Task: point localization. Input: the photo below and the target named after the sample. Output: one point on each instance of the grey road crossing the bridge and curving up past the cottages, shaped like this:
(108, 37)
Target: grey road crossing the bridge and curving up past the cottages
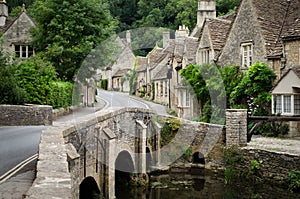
(19, 143)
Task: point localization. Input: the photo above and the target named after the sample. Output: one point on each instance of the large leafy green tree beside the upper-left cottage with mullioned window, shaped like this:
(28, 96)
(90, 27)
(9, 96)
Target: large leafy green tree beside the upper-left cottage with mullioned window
(68, 30)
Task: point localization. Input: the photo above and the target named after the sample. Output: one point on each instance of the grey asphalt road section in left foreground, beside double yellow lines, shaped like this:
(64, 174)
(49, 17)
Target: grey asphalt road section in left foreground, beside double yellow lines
(17, 144)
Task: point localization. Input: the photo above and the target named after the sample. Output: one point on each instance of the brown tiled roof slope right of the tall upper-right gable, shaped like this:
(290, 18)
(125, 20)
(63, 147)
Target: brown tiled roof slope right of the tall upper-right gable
(277, 18)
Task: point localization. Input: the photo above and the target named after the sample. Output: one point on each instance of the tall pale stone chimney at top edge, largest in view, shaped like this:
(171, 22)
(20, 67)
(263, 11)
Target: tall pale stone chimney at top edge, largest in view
(206, 9)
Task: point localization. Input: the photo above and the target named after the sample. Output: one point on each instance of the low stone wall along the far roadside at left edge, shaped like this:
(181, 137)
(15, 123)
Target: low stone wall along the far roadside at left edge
(19, 115)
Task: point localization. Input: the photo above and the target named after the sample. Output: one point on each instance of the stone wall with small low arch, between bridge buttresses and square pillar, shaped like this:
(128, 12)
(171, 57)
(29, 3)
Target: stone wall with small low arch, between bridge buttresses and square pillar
(208, 139)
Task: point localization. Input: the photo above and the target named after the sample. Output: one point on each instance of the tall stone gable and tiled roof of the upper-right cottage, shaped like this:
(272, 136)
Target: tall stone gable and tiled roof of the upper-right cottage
(258, 34)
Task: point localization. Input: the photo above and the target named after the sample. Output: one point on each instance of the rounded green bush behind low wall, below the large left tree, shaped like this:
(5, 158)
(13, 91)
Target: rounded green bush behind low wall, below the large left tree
(35, 77)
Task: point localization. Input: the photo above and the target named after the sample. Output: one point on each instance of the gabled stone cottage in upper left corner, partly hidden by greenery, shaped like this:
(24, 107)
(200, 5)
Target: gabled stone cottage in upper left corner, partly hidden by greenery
(16, 32)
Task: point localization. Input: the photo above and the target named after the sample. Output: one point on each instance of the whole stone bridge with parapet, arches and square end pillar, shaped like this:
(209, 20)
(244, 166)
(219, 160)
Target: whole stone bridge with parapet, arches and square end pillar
(86, 159)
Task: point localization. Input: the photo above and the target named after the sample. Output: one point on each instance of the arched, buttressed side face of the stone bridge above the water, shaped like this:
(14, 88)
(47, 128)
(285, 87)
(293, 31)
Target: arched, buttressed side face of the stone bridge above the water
(104, 140)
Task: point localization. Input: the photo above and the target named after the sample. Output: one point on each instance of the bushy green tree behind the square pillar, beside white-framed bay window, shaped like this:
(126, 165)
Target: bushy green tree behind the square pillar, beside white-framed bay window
(254, 89)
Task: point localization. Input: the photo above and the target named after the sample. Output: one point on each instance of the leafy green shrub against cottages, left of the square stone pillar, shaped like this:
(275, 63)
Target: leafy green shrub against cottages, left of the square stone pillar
(206, 82)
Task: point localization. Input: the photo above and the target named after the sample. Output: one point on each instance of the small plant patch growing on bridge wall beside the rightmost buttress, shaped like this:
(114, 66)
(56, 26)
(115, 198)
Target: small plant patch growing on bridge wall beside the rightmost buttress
(169, 130)
